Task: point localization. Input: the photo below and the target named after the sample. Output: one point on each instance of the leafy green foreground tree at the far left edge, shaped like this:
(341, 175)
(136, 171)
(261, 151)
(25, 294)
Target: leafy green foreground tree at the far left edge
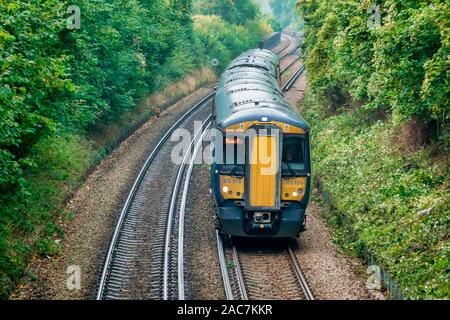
(33, 84)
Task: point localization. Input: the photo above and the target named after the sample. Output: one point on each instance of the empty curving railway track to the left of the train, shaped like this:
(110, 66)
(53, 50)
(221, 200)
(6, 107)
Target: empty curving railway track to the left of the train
(145, 259)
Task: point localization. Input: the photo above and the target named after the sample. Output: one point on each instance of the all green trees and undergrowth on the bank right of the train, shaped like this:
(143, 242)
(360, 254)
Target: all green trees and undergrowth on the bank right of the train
(380, 195)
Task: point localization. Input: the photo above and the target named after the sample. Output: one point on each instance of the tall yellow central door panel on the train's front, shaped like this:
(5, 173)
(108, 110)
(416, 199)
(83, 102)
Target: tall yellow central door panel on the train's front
(263, 172)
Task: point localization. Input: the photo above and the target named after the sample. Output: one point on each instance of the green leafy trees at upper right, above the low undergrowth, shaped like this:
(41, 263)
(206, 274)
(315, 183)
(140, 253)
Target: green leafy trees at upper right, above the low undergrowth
(401, 66)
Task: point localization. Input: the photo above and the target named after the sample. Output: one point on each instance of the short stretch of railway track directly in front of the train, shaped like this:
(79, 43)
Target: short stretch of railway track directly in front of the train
(261, 272)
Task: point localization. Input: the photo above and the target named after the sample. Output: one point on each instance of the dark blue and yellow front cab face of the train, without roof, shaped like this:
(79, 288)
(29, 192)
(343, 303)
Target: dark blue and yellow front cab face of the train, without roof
(263, 196)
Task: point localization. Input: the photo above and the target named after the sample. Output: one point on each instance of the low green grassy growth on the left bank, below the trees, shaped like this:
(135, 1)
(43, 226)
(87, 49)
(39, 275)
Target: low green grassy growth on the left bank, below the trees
(28, 219)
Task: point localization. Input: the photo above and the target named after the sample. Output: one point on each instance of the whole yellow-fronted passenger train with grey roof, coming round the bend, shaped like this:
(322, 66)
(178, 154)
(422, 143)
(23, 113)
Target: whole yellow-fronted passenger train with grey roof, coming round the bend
(261, 159)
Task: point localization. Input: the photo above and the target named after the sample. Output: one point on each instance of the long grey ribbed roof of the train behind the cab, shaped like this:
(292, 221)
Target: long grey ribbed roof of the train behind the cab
(249, 91)
